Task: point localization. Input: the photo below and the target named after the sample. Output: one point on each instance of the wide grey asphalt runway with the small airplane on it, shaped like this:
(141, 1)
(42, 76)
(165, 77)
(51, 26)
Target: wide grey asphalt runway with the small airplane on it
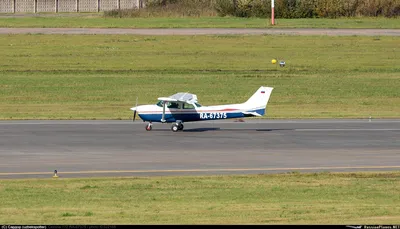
(30, 149)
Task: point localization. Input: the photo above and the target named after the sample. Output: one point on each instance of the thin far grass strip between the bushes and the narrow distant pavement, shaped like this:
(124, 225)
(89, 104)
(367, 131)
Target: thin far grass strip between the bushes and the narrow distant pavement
(98, 21)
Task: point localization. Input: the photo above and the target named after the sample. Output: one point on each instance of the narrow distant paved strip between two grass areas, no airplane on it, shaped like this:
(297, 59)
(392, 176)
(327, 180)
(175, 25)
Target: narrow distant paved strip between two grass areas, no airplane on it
(206, 31)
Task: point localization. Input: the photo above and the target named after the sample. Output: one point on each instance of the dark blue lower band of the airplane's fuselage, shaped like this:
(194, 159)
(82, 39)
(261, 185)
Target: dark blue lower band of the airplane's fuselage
(191, 117)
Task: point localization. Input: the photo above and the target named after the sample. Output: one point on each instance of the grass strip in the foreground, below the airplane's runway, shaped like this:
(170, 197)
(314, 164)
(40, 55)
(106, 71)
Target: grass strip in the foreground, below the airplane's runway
(320, 198)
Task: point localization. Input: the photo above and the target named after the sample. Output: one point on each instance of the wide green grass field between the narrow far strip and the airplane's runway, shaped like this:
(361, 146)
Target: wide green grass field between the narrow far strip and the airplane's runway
(100, 76)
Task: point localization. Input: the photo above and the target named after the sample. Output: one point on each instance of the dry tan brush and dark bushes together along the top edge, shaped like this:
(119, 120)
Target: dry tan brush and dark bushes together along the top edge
(262, 8)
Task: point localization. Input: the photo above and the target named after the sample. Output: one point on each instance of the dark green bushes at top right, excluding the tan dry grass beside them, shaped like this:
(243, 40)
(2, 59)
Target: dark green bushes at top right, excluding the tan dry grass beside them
(293, 8)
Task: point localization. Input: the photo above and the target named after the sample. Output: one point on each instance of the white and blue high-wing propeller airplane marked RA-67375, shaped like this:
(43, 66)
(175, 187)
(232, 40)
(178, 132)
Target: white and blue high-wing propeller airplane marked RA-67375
(183, 107)
